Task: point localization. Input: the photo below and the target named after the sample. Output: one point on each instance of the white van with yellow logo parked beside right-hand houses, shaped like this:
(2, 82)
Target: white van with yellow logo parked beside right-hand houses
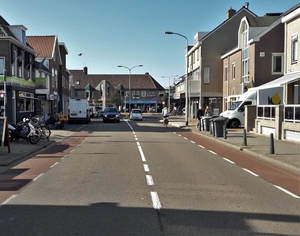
(254, 96)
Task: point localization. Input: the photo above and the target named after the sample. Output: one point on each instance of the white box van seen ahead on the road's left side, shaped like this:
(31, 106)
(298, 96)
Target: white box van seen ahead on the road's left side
(79, 111)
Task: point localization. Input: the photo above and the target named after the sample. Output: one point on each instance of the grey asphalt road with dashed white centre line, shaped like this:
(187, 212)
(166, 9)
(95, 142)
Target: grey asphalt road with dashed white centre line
(140, 178)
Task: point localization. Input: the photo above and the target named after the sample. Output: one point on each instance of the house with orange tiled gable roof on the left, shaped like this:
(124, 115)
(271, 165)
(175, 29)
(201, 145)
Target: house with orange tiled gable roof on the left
(52, 88)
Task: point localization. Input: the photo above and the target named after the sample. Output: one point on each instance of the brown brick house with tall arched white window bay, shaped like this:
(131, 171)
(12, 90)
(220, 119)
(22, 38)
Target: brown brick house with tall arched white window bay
(254, 61)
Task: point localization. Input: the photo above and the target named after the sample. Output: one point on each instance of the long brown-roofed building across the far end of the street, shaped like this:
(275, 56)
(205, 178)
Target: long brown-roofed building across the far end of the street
(144, 91)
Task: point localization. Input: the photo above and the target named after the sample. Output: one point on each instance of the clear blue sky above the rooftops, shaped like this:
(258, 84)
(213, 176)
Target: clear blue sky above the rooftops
(127, 32)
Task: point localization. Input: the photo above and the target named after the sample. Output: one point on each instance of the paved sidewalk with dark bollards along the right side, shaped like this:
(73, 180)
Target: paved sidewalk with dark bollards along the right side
(287, 153)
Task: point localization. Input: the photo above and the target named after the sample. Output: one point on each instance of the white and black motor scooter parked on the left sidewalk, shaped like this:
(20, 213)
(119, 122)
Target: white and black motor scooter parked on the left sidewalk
(24, 130)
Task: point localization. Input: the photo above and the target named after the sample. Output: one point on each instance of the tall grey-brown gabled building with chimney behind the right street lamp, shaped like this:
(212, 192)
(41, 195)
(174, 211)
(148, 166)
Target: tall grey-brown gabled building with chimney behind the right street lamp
(205, 64)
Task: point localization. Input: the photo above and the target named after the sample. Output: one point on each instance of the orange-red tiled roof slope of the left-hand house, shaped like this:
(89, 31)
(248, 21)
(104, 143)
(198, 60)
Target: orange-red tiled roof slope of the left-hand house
(43, 45)
